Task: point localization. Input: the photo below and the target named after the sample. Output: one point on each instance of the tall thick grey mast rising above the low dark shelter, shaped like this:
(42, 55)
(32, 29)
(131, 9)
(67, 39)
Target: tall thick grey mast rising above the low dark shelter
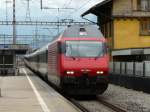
(14, 22)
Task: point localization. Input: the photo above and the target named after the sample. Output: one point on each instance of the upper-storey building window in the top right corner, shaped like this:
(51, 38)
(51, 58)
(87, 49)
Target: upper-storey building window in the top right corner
(144, 5)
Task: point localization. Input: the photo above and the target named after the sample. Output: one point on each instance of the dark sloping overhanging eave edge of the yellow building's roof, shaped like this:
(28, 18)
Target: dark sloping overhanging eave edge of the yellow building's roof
(96, 6)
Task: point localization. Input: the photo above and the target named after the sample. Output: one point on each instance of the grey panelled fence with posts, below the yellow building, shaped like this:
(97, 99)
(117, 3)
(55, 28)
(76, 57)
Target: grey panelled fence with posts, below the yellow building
(141, 69)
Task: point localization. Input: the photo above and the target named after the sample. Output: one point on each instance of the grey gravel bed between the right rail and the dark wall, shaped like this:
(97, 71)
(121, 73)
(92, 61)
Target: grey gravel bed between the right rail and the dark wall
(131, 100)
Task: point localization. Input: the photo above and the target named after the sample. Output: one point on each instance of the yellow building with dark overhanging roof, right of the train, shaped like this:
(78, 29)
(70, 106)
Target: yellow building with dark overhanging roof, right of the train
(126, 25)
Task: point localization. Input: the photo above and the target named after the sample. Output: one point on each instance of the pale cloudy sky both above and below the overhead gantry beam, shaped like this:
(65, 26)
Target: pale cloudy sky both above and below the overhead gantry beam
(79, 6)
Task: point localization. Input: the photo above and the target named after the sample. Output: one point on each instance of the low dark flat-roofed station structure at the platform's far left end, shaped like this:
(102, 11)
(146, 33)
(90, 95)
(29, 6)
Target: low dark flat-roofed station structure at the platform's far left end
(10, 58)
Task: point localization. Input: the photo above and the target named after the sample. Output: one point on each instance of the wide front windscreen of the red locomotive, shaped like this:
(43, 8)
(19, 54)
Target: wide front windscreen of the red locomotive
(84, 49)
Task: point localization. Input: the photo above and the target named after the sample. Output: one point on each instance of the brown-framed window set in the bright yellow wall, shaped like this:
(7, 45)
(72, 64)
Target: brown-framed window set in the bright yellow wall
(145, 27)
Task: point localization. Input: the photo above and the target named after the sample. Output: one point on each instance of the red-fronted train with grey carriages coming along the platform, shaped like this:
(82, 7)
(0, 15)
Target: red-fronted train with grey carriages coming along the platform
(76, 61)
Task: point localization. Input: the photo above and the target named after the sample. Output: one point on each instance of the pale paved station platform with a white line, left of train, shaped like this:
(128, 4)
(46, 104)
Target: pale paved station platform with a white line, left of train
(28, 93)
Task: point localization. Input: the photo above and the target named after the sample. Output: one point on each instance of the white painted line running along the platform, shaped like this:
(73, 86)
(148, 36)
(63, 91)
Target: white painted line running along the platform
(41, 101)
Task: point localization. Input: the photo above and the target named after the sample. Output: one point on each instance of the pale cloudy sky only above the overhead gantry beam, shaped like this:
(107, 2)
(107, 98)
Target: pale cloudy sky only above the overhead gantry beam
(36, 13)
